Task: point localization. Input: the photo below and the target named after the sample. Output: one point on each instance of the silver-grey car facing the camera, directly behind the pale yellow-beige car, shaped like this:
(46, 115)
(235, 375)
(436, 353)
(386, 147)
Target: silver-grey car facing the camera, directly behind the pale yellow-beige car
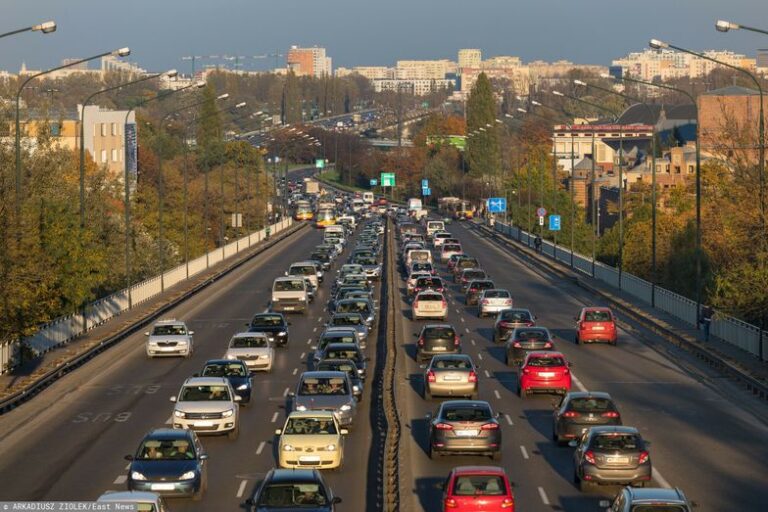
(326, 391)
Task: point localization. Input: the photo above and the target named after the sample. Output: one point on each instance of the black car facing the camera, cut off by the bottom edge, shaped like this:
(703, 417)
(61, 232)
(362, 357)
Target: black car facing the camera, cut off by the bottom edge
(292, 489)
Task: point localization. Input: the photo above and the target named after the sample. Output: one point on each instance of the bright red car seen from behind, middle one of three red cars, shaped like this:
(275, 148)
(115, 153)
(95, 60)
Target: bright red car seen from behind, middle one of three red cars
(544, 372)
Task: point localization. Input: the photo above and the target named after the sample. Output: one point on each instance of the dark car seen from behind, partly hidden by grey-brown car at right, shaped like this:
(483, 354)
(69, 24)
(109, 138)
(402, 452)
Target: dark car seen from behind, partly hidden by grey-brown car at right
(581, 410)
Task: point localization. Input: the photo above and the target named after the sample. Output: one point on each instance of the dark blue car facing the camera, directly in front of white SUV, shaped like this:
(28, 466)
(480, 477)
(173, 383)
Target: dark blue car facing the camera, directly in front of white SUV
(170, 462)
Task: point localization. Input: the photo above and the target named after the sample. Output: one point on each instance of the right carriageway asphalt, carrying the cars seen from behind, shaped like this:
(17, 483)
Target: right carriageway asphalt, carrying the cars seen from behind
(702, 440)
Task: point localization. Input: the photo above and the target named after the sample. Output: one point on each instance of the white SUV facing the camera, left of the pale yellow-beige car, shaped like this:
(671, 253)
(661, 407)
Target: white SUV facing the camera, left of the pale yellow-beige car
(207, 405)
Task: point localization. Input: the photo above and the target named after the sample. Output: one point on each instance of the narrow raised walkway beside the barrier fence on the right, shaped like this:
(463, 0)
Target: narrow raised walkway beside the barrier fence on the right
(729, 353)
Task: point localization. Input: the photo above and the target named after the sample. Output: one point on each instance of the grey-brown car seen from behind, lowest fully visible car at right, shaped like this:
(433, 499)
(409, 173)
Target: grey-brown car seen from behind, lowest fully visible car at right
(611, 455)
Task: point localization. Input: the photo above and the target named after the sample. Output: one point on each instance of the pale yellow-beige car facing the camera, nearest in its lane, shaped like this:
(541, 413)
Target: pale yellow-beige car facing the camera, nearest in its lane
(311, 439)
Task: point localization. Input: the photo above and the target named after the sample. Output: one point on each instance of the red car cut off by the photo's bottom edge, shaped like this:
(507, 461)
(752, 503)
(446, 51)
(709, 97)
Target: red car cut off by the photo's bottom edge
(478, 489)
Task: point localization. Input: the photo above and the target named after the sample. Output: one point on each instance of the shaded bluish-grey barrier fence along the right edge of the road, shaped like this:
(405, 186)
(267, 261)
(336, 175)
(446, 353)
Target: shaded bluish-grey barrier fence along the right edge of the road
(731, 330)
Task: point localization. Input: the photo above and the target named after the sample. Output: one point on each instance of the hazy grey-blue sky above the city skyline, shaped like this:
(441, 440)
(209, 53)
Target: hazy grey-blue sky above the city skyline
(369, 32)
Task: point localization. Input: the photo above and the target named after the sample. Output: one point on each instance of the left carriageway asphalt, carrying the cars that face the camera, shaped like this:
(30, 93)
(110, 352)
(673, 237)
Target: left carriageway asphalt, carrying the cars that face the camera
(69, 442)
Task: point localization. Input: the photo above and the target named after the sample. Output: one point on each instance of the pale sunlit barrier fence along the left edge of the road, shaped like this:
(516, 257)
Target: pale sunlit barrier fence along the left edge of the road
(66, 328)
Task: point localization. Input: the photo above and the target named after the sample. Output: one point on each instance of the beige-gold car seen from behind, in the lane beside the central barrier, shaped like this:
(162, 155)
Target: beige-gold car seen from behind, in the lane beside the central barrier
(451, 375)
